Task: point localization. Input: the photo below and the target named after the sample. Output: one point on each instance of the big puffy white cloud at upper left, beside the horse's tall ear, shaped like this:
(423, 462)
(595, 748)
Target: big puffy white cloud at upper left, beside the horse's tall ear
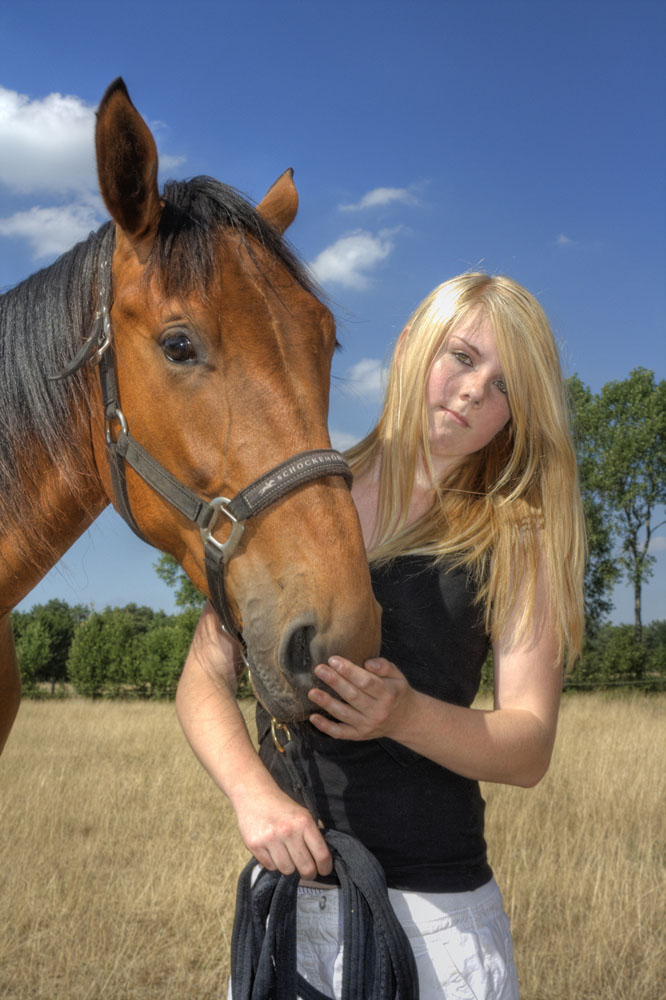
(46, 144)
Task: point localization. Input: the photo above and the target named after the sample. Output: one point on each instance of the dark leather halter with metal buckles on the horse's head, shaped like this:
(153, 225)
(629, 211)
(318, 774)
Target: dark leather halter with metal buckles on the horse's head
(123, 449)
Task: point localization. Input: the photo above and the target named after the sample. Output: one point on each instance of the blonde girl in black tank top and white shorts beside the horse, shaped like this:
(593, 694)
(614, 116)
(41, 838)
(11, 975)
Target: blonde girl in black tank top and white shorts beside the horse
(467, 496)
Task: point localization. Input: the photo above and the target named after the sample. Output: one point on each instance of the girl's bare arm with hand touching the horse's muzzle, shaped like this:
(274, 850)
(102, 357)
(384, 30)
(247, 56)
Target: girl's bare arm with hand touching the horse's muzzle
(512, 743)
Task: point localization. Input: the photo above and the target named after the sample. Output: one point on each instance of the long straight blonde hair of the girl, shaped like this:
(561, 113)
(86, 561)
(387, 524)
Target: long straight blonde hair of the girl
(514, 502)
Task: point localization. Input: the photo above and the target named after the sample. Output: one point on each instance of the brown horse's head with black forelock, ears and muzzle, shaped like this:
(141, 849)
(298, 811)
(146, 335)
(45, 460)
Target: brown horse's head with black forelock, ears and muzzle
(223, 355)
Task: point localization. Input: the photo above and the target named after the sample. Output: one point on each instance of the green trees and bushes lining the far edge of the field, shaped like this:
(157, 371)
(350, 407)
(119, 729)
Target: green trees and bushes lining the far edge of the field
(620, 437)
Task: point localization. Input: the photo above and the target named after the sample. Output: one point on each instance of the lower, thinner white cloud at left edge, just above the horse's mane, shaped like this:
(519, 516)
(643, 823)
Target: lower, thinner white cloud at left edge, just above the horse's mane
(51, 231)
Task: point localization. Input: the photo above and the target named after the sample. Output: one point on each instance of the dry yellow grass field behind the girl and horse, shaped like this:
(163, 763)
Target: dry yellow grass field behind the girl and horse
(118, 858)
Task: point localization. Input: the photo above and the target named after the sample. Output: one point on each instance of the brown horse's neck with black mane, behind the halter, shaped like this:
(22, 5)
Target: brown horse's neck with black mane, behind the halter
(51, 490)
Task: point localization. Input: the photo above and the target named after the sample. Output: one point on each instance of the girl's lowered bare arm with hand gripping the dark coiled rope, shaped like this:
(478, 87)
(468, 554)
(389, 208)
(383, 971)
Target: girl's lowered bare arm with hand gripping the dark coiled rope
(280, 833)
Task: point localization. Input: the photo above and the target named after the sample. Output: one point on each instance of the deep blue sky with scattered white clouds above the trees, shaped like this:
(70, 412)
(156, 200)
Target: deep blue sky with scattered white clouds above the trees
(426, 138)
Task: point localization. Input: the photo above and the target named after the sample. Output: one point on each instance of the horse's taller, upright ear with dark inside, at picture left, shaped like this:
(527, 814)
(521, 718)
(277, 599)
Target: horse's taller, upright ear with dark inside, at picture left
(127, 165)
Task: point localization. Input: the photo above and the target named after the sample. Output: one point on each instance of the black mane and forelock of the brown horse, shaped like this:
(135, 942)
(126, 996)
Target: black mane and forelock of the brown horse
(45, 318)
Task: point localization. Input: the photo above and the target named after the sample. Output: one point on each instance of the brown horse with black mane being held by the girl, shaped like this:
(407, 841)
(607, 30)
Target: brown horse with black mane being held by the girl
(220, 355)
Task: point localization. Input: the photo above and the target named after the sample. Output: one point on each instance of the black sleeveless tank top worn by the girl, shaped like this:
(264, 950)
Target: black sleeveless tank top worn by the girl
(423, 822)
